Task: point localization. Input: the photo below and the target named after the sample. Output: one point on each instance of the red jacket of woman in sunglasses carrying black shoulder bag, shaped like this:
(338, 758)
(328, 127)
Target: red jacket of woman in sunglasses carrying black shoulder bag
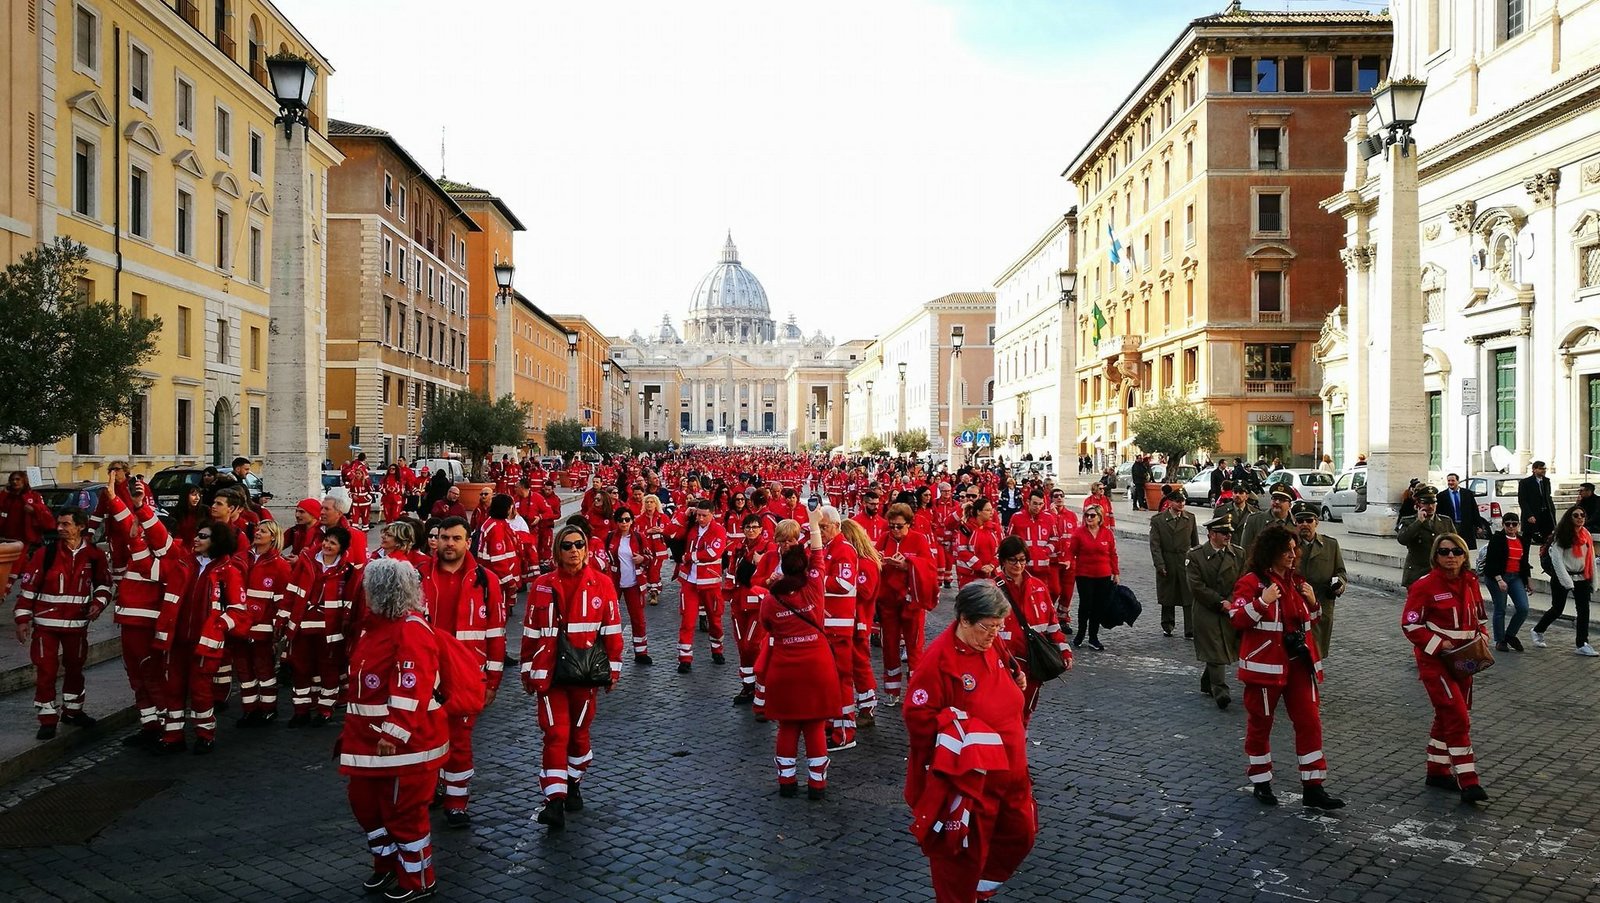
(588, 612)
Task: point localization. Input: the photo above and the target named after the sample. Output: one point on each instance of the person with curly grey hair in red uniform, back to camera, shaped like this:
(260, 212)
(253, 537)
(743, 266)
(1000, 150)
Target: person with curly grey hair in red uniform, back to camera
(394, 732)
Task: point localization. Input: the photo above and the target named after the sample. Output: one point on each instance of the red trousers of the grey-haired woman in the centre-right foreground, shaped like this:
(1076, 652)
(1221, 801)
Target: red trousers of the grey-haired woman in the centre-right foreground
(999, 838)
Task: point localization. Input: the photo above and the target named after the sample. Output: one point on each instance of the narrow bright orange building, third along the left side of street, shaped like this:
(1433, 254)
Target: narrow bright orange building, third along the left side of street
(489, 246)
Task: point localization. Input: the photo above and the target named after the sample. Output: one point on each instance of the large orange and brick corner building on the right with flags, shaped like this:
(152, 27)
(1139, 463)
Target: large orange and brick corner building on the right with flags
(1207, 182)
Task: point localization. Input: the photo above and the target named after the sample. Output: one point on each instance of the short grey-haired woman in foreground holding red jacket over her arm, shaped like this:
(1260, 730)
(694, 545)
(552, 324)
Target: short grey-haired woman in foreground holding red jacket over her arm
(967, 776)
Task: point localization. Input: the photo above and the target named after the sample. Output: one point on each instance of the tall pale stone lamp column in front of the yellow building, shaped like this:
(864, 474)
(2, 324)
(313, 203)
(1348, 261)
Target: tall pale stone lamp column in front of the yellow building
(297, 353)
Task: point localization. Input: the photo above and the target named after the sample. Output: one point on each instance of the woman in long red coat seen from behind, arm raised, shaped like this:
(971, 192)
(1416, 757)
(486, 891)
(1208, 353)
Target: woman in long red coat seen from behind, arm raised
(799, 675)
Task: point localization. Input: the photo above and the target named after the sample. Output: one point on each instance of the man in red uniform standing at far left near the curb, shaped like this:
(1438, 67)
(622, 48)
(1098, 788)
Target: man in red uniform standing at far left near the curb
(65, 587)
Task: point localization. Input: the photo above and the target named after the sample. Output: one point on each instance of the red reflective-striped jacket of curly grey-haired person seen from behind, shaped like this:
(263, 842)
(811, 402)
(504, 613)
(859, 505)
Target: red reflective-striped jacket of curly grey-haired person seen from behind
(394, 670)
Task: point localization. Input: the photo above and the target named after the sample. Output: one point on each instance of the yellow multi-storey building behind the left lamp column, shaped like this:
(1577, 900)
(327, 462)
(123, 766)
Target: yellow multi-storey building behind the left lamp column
(154, 148)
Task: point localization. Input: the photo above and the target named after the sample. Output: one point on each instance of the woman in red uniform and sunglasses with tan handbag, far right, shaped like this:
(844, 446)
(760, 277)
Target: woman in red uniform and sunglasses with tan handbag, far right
(1444, 612)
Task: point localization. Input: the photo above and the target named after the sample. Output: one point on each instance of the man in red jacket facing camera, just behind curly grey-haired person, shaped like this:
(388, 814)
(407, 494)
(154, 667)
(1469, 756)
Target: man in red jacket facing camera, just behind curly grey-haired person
(463, 598)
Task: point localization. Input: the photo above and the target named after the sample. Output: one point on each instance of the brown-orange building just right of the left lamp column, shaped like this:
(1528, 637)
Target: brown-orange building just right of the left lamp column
(398, 295)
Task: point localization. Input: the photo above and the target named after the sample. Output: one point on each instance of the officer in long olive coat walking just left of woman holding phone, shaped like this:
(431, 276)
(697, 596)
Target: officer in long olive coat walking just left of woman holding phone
(1214, 569)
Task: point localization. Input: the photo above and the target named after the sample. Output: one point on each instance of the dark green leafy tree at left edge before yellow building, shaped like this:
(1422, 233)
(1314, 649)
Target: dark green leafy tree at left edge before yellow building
(70, 364)
